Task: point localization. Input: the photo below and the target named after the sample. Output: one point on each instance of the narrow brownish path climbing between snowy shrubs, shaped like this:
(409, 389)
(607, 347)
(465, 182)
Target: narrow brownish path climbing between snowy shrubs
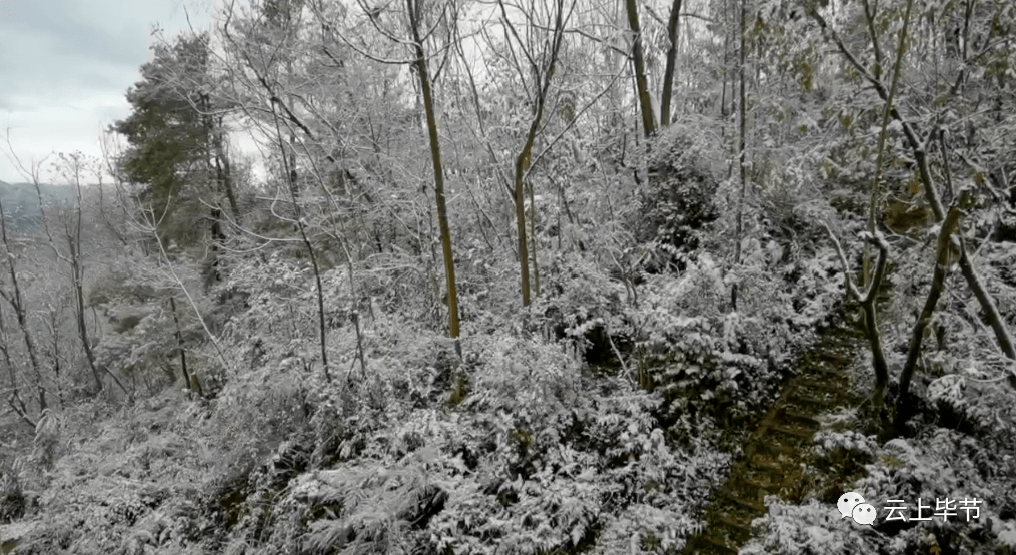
(773, 458)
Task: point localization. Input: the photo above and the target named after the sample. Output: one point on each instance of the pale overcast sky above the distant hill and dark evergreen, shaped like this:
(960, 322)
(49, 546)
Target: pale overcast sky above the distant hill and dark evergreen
(67, 65)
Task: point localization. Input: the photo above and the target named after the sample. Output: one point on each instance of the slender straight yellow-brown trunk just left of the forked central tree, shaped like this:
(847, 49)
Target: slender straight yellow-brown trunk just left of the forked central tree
(415, 13)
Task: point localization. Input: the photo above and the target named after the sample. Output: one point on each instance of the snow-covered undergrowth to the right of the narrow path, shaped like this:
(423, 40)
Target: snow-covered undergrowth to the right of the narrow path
(960, 445)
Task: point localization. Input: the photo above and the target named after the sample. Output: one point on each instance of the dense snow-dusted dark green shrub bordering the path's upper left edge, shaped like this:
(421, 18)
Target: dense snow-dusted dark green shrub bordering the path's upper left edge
(709, 363)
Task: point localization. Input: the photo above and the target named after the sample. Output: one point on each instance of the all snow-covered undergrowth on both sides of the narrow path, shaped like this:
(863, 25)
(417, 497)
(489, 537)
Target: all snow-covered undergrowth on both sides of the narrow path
(599, 420)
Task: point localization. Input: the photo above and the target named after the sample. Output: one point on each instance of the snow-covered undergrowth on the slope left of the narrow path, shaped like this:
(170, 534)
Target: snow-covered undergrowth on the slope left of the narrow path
(593, 422)
